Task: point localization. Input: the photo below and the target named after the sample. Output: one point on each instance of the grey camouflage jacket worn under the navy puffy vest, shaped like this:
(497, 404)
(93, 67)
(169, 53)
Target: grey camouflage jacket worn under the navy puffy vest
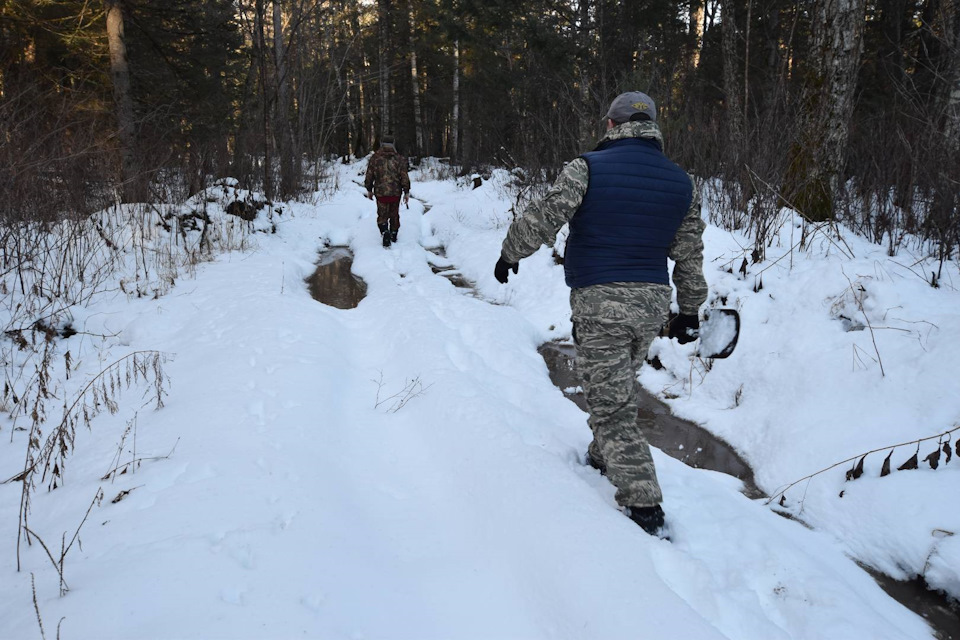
(543, 219)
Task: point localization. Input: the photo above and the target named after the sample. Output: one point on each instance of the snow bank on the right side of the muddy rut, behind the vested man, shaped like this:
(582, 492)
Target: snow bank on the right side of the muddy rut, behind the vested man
(804, 388)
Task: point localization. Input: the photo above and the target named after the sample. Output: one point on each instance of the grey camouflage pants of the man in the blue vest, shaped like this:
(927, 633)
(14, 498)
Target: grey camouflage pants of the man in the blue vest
(613, 328)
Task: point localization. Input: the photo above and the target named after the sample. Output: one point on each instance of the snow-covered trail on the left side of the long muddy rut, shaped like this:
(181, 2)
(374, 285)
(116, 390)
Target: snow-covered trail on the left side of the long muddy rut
(295, 507)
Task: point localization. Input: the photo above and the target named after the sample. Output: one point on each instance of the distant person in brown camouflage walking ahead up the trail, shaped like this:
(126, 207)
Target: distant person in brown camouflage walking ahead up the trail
(387, 179)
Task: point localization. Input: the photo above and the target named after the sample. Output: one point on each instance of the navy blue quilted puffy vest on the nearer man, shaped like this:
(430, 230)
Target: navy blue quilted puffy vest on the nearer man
(634, 204)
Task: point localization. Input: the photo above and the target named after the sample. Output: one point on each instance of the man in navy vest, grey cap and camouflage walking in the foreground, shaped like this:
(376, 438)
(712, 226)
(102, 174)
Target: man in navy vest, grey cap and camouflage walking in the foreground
(629, 208)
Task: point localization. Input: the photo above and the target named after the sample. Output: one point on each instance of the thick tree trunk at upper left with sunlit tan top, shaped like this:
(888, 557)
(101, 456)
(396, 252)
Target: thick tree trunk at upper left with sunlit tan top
(133, 187)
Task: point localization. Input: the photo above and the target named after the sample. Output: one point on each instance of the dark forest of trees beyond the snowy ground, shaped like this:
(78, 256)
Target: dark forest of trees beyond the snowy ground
(844, 110)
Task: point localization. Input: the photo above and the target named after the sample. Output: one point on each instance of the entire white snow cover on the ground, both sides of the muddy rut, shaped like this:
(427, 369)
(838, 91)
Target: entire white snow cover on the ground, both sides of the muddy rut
(406, 469)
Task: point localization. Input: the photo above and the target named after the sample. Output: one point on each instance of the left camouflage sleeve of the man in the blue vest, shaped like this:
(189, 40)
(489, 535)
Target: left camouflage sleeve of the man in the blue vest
(542, 219)
